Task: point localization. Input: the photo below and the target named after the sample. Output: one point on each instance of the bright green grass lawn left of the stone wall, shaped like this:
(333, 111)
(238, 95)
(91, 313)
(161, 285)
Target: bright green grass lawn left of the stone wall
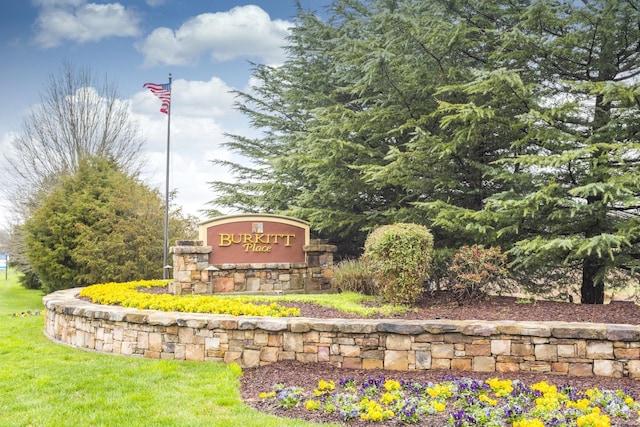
(47, 384)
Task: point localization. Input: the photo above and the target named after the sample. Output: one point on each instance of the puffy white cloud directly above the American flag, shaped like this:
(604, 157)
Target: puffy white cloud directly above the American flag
(242, 31)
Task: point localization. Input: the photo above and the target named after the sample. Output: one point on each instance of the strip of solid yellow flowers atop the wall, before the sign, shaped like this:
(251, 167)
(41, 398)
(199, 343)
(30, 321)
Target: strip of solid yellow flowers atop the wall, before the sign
(127, 295)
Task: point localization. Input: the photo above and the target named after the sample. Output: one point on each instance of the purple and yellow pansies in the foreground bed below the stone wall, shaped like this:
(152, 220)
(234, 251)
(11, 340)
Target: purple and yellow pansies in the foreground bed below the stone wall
(462, 402)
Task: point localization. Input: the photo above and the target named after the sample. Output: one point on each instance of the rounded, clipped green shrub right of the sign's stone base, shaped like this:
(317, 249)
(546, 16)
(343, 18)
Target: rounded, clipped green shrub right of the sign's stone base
(400, 257)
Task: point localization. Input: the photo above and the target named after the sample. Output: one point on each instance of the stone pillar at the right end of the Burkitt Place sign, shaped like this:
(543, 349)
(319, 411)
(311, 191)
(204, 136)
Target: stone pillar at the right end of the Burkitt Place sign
(319, 256)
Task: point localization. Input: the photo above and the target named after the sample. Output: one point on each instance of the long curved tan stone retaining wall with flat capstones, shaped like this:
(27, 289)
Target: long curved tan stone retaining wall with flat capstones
(578, 349)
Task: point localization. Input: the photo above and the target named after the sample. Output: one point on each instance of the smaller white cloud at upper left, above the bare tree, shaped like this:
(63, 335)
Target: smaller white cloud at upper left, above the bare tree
(82, 22)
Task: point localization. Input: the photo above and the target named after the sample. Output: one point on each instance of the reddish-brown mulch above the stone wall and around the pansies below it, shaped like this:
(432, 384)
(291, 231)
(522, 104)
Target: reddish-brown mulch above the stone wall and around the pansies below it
(438, 306)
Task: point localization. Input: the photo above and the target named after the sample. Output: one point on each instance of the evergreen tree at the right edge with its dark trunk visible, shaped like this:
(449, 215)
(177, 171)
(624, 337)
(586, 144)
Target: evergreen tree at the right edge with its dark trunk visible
(570, 196)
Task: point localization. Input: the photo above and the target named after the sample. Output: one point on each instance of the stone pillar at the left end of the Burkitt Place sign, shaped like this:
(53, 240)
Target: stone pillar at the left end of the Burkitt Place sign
(190, 258)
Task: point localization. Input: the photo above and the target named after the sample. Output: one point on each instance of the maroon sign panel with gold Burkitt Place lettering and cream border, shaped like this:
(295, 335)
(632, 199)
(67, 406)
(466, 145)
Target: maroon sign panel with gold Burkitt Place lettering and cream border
(239, 239)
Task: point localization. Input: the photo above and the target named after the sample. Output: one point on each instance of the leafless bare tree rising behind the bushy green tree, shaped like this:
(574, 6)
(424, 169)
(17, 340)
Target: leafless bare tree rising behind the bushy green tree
(79, 116)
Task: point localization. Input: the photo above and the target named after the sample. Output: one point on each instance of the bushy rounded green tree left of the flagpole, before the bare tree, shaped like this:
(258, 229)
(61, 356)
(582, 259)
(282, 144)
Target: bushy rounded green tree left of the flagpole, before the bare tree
(100, 225)
